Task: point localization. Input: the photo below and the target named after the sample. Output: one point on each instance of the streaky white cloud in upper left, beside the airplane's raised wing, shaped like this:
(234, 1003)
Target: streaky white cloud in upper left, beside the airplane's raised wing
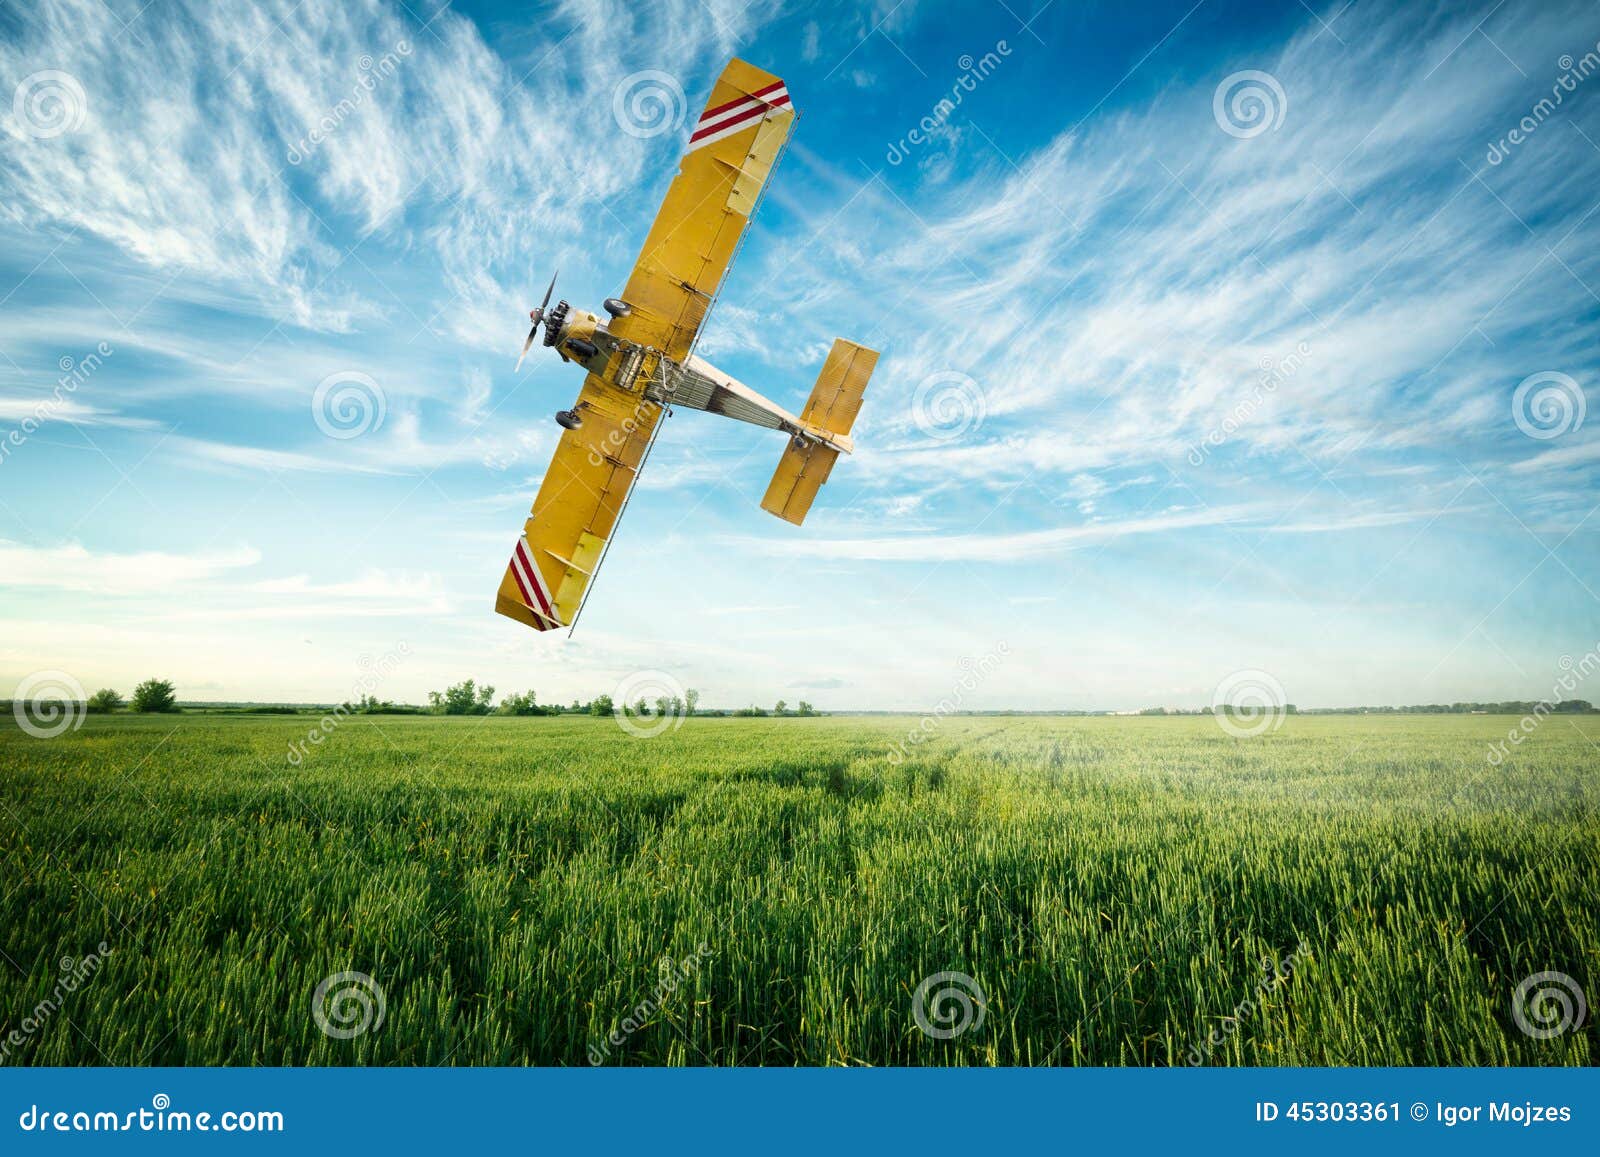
(230, 142)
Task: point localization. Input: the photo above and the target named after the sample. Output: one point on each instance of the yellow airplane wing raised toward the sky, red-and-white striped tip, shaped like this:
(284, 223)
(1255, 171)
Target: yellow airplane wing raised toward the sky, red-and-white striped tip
(700, 225)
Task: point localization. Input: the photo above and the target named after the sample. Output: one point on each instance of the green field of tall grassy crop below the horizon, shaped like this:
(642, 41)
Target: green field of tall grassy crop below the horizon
(1111, 886)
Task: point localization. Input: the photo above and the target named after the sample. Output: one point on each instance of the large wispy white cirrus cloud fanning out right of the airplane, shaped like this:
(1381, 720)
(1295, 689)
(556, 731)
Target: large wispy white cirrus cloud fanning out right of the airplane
(1118, 290)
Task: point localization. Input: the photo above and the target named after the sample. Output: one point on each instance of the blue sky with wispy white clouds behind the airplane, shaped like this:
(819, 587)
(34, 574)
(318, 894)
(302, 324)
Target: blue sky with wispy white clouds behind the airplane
(1174, 385)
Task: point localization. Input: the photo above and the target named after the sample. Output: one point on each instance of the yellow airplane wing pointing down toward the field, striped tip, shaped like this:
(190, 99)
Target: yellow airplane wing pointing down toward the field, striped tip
(578, 506)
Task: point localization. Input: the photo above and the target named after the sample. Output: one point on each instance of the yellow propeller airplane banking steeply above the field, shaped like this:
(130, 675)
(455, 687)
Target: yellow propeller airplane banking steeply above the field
(641, 361)
